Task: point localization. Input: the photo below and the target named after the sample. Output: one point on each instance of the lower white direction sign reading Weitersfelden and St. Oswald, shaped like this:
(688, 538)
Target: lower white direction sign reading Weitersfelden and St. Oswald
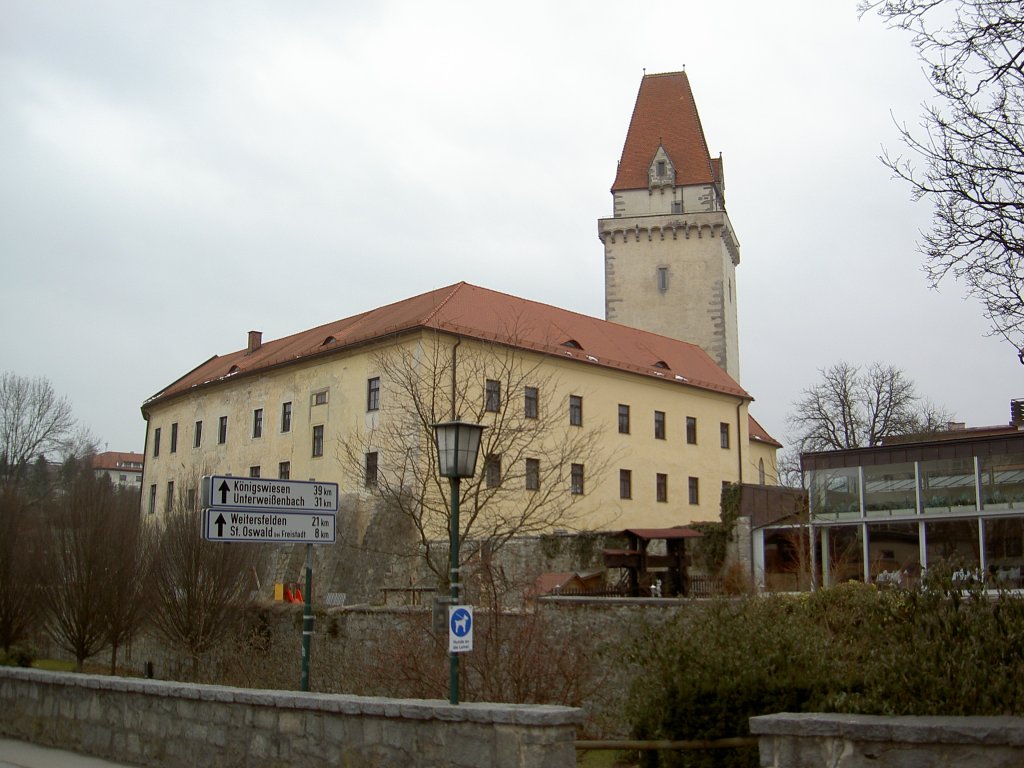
(262, 526)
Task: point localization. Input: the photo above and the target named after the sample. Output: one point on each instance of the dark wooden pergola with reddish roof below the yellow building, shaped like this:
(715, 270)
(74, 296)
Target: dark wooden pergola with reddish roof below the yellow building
(644, 570)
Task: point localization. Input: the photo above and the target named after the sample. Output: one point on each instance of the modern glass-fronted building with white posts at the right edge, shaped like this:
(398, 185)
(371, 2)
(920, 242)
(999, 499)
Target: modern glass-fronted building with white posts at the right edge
(883, 515)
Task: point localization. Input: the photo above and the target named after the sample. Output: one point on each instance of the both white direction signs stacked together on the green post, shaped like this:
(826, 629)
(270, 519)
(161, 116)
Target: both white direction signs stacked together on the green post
(252, 509)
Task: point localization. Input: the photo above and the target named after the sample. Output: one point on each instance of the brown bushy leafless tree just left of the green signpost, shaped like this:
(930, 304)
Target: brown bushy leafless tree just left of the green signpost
(198, 587)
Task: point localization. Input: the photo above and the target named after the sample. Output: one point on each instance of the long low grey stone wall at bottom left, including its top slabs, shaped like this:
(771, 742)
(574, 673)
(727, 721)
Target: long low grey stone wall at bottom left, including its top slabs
(176, 726)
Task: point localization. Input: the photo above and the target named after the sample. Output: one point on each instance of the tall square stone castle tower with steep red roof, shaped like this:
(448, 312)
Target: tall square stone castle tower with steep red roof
(670, 251)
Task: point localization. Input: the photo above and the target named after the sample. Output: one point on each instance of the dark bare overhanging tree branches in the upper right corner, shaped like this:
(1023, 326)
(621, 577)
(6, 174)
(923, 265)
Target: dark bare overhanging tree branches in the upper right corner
(968, 152)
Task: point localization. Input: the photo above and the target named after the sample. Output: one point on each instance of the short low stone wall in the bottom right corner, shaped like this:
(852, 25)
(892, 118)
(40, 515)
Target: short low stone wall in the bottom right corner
(818, 741)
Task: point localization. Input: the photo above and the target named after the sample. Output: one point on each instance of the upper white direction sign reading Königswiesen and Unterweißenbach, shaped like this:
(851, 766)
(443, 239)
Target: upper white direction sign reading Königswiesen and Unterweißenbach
(221, 492)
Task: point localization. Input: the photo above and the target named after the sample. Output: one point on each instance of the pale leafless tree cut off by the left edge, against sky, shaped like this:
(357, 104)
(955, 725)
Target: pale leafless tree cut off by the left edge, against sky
(34, 422)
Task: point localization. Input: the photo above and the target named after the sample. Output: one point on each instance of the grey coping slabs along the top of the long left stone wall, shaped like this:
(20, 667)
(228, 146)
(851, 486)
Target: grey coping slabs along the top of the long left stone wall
(411, 709)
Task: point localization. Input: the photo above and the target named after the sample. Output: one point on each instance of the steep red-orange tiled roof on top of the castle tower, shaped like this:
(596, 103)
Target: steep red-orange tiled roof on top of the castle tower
(666, 114)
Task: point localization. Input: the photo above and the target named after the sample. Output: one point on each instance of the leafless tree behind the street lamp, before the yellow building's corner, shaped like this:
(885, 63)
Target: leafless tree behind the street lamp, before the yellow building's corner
(523, 483)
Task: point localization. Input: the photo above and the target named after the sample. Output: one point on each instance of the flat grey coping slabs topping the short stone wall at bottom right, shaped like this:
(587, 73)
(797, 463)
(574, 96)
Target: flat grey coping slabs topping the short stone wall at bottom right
(1004, 731)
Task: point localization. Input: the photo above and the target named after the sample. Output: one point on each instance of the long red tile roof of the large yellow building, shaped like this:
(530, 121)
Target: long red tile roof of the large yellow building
(481, 314)
